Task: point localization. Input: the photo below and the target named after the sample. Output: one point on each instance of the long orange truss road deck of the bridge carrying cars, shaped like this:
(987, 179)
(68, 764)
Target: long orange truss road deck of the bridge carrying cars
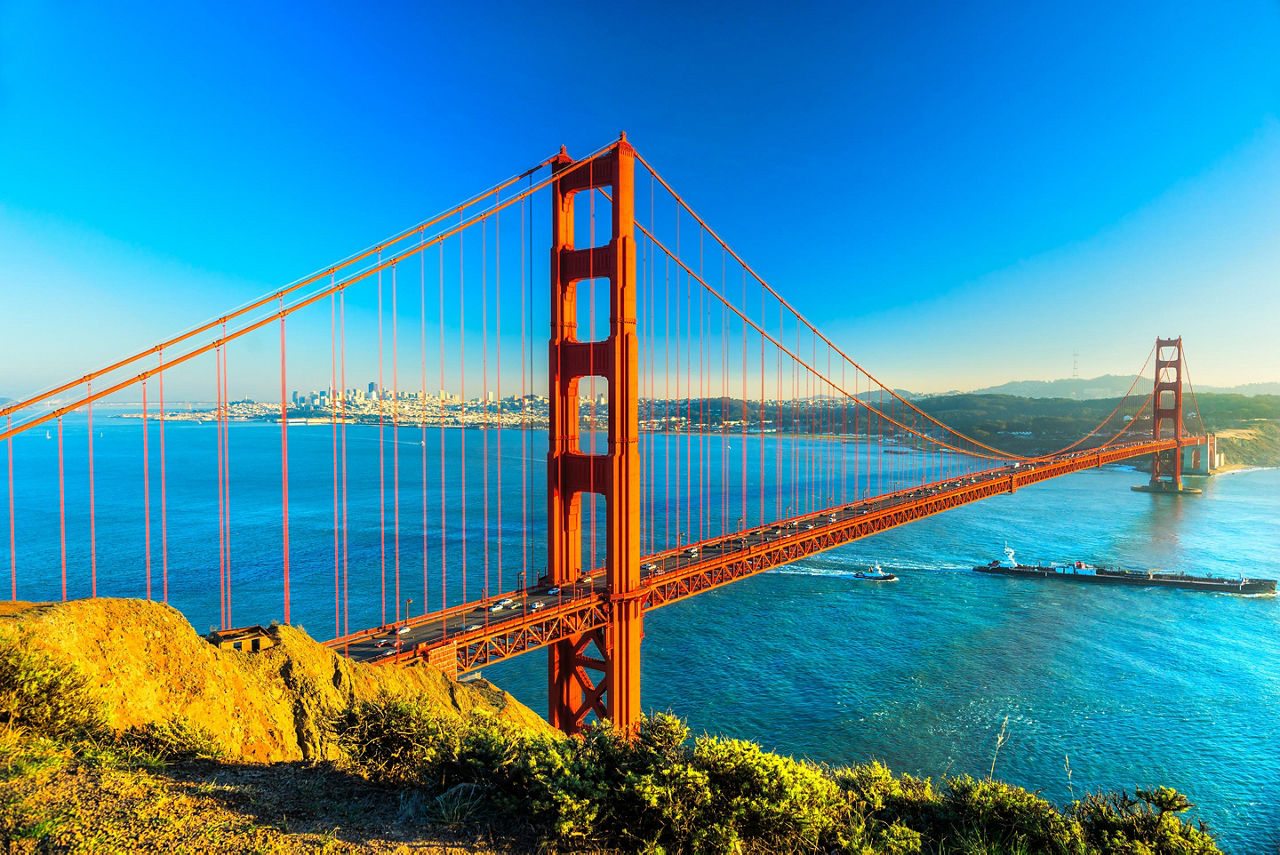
(473, 635)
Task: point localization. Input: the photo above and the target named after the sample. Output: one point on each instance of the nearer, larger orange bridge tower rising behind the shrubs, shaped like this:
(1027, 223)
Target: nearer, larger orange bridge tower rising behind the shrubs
(605, 682)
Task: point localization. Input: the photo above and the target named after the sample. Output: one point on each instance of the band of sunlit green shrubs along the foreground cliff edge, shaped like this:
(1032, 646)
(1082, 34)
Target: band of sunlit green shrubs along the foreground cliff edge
(660, 793)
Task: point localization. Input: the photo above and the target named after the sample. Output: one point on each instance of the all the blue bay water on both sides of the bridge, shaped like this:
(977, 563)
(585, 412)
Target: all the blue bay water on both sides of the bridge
(1132, 688)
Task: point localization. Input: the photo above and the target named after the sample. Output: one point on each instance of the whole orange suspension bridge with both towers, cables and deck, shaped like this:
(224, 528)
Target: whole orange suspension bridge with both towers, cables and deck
(486, 495)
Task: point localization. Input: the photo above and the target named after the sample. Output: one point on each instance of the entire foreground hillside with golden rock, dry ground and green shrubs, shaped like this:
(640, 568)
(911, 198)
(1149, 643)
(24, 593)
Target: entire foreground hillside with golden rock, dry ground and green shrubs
(399, 765)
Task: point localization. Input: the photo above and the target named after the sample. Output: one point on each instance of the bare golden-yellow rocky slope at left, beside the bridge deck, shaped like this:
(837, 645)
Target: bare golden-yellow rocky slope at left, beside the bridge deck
(147, 664)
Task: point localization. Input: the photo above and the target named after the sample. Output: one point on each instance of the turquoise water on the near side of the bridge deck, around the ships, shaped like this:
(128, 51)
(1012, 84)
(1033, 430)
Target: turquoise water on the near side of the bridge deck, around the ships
(1132, 688)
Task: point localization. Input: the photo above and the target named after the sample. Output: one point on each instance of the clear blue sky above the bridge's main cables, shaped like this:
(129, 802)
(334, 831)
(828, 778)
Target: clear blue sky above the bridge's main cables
(984, 188)
